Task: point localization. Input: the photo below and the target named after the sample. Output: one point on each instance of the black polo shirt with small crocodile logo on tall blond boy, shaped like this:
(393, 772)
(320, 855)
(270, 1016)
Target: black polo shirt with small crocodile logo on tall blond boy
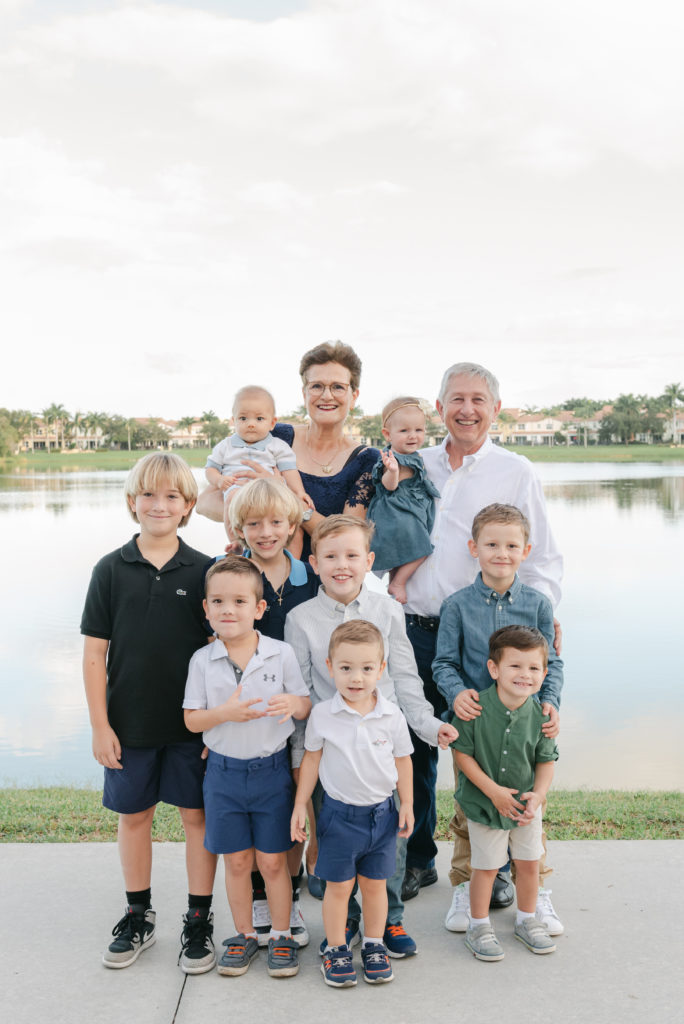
(154, 622)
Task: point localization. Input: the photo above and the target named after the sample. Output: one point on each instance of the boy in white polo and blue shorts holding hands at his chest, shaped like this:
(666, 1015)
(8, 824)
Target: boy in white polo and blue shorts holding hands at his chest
(243, 693)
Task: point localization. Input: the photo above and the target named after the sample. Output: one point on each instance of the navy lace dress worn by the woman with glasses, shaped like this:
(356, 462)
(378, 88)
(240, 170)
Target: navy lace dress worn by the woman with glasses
(353, 486)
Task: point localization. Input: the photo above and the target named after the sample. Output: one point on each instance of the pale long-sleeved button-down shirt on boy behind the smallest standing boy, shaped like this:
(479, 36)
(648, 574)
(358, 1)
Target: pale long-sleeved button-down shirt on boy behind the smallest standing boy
(309, 628)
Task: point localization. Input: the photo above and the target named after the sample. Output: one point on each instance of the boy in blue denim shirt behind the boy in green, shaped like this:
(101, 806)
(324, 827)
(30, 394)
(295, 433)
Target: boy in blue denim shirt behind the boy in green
(501, 542)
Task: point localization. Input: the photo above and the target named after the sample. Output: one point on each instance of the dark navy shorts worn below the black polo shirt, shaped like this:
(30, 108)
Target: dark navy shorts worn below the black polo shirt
(173, 775)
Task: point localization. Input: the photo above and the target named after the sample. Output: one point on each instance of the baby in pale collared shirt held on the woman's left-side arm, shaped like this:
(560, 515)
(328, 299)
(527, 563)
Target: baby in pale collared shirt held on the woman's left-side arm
(253, 418)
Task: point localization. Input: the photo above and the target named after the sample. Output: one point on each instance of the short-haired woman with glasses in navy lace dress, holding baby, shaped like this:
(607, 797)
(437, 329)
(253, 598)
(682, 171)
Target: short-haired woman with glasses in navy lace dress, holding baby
(336, 475)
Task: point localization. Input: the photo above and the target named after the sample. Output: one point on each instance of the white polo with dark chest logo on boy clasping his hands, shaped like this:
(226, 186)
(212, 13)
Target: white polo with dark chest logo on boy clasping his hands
(212, 678)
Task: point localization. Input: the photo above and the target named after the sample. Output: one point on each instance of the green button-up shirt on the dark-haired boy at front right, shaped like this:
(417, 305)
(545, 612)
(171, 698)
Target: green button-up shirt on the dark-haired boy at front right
(507, 746)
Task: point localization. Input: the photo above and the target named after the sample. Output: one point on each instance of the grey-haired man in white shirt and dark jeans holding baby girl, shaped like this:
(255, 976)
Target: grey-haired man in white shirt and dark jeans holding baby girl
(471, 473)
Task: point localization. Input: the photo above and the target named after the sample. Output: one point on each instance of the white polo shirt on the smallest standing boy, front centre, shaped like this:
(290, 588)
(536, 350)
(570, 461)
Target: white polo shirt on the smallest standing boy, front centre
(358, 762)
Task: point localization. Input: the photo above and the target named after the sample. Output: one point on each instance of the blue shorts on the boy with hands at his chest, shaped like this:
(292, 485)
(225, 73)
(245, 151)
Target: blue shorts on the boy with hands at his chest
(248, 803)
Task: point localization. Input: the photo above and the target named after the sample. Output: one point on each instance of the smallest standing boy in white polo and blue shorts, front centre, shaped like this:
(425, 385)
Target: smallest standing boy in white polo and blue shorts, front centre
(359, 744)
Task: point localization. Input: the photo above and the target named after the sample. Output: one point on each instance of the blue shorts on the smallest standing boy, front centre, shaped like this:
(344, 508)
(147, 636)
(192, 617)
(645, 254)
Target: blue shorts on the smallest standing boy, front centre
(357, 840)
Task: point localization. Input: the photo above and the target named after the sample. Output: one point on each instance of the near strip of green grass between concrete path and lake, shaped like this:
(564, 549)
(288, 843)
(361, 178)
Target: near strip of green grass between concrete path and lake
(66, 816)
